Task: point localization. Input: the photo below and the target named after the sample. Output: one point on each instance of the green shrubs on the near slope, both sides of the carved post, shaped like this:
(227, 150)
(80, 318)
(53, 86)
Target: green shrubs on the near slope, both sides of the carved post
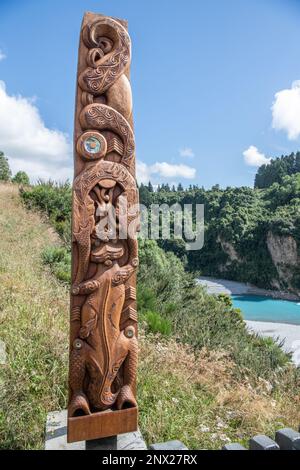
(169, 301)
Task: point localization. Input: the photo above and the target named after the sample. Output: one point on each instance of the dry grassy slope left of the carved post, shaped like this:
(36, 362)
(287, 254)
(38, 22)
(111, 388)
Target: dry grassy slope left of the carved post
(34, 325)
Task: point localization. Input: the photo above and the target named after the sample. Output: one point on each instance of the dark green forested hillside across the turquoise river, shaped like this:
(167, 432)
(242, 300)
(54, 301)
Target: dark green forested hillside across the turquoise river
(251, 235)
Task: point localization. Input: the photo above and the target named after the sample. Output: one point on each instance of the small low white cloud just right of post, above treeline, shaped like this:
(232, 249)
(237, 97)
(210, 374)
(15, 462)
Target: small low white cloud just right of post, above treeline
(165, 170)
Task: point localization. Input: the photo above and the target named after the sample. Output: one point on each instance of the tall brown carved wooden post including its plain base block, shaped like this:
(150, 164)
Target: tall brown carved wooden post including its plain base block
(103, 332)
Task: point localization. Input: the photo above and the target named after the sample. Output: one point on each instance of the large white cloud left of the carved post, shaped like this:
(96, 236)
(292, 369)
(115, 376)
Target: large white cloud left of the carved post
(28, 143)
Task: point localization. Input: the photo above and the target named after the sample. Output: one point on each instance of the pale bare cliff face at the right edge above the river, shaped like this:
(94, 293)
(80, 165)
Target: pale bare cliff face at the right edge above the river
(284, 254)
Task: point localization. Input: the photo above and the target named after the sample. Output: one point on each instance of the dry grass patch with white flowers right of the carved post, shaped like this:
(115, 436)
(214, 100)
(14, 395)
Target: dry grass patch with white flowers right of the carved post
(198, 399)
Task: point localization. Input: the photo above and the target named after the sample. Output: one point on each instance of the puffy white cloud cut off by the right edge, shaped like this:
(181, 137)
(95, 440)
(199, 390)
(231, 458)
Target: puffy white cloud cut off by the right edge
(286, 111)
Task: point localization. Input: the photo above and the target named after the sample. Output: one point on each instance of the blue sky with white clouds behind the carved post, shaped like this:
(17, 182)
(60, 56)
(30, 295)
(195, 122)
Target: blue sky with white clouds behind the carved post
(204, 78)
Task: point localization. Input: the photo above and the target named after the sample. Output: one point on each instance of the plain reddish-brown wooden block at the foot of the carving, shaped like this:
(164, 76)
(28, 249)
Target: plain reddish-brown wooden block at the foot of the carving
(103, 424)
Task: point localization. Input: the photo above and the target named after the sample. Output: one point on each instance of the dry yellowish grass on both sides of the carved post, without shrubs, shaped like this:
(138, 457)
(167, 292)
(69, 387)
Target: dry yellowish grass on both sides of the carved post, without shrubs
(181, 396)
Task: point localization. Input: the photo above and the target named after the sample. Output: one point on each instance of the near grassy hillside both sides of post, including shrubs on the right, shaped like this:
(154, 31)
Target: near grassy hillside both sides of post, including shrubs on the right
(204, 393)
